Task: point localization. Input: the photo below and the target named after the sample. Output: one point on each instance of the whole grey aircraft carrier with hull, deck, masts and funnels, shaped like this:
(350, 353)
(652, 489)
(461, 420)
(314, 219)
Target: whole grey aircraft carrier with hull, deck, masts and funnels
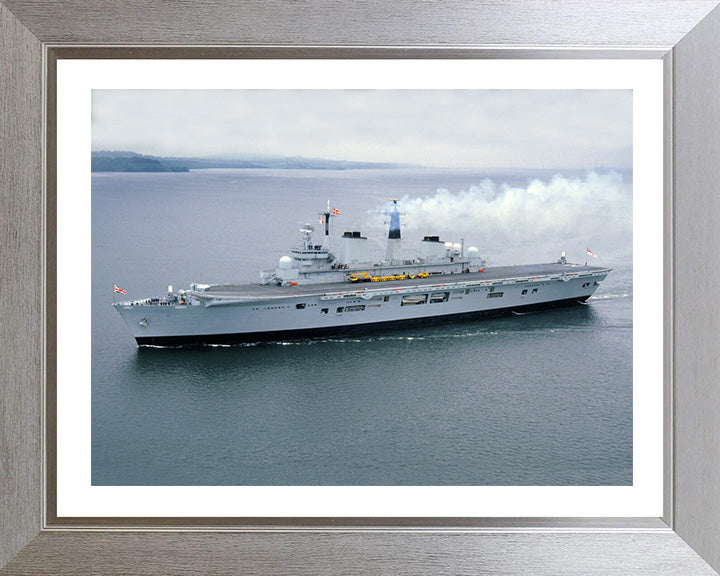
(315, 292)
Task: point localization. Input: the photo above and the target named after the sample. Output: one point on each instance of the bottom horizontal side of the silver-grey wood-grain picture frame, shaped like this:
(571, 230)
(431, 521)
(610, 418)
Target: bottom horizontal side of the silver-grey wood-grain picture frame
(362, 554)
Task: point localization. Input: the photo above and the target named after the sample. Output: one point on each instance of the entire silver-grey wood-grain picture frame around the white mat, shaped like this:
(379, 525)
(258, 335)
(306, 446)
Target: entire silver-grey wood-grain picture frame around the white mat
(684, 540)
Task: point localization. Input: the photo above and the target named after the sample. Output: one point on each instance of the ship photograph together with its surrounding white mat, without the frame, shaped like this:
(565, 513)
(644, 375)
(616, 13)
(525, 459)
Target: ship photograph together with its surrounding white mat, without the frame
(534, 414)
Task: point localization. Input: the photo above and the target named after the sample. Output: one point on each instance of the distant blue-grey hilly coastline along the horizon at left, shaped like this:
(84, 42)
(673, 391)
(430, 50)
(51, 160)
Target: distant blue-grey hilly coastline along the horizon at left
(123, 161)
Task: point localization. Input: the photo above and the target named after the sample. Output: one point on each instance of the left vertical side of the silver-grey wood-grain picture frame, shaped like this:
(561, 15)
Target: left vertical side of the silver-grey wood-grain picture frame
(20, 284)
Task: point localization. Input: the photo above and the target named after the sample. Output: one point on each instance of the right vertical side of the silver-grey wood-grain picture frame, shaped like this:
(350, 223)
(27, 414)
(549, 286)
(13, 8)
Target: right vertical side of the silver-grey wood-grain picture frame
(697, 305)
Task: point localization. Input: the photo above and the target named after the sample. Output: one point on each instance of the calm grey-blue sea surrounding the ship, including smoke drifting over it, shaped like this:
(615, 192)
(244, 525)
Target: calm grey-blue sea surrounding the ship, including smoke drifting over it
(537, 399)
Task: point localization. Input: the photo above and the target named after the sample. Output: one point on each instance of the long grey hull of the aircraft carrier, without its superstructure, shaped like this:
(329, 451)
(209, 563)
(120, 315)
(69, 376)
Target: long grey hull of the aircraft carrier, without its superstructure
(245, 313)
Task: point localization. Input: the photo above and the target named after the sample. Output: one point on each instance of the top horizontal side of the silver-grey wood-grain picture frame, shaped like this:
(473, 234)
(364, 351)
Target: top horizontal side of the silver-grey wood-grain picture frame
(634, 23)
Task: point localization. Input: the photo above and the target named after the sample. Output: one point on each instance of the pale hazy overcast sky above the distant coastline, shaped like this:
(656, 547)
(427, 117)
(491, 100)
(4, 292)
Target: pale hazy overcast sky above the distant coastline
(582, 129)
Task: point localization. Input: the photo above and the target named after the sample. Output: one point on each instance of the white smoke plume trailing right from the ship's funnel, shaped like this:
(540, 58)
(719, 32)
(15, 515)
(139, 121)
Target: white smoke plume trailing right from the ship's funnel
(538, 219)
